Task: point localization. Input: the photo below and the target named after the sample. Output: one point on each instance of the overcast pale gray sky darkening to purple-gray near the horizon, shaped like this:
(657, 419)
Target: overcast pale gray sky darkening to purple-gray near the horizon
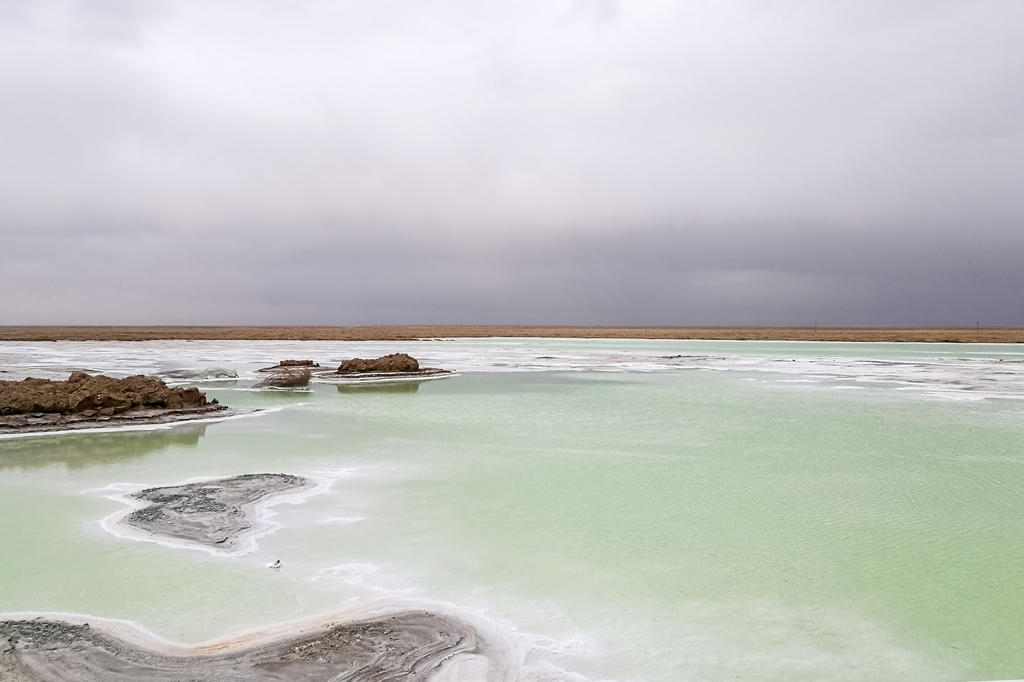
(588, 162)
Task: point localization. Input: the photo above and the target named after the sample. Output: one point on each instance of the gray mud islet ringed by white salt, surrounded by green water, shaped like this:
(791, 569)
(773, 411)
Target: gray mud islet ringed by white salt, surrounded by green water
(217, 514)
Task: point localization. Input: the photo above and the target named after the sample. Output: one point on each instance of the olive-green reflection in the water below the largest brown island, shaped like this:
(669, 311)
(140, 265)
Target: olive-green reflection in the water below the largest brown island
(77, 451)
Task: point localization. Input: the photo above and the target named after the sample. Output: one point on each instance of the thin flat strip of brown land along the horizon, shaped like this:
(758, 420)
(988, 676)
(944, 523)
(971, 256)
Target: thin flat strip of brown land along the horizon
(418, 332)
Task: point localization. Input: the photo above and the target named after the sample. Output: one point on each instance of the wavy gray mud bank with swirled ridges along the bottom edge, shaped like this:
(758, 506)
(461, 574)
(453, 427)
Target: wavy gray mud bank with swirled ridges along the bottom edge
(409, 647)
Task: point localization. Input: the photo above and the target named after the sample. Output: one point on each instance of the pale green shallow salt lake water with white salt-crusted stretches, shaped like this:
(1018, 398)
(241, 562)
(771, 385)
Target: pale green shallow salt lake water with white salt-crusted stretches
(628, 510)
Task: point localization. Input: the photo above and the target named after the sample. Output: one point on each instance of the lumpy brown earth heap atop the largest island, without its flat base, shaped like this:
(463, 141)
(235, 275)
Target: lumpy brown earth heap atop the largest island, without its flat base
(95, 396)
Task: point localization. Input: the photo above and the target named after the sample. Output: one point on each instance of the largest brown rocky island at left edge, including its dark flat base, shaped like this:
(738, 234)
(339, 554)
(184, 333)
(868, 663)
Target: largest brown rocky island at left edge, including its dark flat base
(86, 402)
